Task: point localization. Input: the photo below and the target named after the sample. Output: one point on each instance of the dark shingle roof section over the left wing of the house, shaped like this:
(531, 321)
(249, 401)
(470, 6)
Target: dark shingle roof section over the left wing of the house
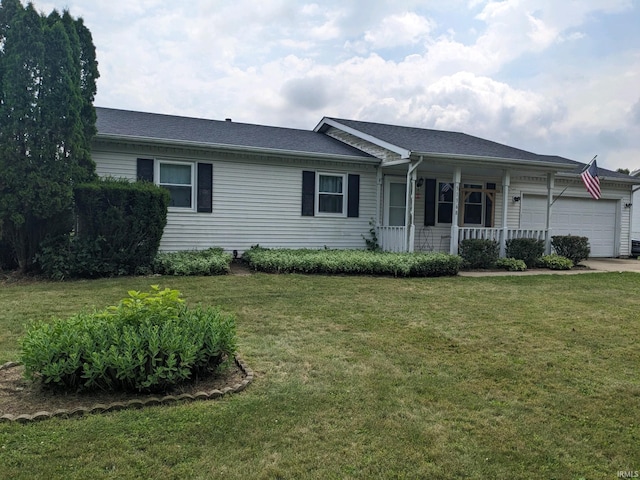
(113, 122)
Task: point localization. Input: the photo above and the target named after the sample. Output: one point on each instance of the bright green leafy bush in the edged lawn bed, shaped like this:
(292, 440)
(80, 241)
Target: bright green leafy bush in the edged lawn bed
(149, 342)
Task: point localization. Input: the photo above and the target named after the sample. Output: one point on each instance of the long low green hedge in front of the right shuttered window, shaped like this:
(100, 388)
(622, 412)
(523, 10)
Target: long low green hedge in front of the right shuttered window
(352, 262)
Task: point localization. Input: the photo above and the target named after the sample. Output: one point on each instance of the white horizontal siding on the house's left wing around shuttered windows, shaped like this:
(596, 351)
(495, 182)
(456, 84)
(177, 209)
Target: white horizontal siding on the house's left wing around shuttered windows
(255, 203)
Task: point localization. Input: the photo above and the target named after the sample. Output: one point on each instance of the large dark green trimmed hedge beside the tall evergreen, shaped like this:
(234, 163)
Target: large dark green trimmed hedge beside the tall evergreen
(120, 225)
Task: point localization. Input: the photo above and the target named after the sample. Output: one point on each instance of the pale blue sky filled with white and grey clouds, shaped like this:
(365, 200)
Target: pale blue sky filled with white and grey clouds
(557, 77)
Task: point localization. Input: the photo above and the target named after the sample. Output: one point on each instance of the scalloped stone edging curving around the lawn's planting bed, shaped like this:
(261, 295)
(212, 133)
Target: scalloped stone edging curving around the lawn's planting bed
(135, 403)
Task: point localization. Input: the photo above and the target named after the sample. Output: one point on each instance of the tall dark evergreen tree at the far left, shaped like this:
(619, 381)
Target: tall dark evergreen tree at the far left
(48, 74)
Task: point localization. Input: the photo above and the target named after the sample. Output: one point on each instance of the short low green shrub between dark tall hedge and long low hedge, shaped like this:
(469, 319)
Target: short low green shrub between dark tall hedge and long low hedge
(212, 261)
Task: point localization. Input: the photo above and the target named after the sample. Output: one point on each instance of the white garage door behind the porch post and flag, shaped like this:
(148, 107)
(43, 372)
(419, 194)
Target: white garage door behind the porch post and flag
(594, 219)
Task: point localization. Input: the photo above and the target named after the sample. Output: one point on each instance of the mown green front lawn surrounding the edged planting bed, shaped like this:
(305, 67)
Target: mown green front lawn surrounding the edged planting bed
(359, 377)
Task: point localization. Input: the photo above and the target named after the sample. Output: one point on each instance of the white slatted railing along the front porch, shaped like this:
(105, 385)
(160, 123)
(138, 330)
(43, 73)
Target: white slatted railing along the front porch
(394, 238)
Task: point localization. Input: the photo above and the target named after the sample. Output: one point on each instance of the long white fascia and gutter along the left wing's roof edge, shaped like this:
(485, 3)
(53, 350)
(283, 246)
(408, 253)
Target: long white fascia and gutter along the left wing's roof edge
(236, 148)
